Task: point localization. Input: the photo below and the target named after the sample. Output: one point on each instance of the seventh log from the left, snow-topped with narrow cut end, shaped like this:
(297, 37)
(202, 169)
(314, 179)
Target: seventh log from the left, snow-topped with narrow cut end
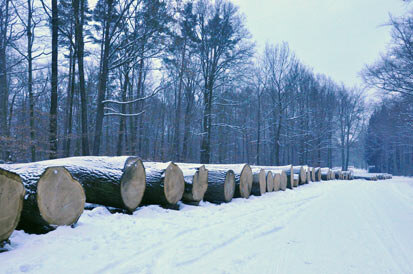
(243, 178)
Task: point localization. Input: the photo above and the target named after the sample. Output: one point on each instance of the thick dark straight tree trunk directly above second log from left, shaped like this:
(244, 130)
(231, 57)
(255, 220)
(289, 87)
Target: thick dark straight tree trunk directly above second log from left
(54, 79)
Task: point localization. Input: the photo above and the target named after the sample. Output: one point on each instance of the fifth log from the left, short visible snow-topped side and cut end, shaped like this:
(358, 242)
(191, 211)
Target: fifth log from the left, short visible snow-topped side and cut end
(196, 182)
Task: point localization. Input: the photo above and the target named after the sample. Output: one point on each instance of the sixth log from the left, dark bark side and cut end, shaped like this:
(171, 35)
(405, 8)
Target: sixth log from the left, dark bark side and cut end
(221, 184)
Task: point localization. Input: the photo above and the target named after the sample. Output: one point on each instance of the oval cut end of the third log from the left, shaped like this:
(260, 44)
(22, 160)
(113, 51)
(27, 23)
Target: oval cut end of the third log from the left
(133, 183)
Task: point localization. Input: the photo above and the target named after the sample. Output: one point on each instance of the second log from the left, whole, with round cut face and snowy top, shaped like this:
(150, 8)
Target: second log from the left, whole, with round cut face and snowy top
(53, 197)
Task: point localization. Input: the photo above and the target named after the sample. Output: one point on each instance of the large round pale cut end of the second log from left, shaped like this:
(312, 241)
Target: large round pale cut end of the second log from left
(60, 198)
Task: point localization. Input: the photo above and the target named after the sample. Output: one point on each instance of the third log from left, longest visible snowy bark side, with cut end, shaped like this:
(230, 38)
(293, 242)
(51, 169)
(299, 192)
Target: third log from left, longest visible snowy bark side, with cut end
(117, 182)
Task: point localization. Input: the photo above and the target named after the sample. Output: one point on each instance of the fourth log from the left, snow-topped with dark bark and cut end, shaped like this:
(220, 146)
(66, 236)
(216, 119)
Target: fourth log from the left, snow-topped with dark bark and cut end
(165, 183)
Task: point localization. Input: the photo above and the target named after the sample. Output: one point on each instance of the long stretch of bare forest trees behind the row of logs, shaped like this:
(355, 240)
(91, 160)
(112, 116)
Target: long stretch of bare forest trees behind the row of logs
(164, 80)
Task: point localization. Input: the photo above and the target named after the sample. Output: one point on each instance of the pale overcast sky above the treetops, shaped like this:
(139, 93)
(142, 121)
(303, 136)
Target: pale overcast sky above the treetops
(336, 38)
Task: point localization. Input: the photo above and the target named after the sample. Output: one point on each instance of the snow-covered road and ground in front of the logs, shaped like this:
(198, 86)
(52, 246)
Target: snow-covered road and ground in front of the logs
(329, 227)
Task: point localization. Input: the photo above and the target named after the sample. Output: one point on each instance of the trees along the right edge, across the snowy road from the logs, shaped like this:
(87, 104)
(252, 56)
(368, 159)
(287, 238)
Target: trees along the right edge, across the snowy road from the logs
(389, 141)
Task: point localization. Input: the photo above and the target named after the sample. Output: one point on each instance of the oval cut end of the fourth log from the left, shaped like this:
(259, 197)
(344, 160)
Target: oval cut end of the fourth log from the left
(174, 184)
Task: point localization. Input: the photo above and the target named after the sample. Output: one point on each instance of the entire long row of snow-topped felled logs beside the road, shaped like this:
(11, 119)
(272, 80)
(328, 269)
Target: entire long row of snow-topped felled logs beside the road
(40, 196)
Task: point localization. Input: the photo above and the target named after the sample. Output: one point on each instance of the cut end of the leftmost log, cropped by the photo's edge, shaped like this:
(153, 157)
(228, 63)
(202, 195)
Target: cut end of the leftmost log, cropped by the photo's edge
(11, 203)
